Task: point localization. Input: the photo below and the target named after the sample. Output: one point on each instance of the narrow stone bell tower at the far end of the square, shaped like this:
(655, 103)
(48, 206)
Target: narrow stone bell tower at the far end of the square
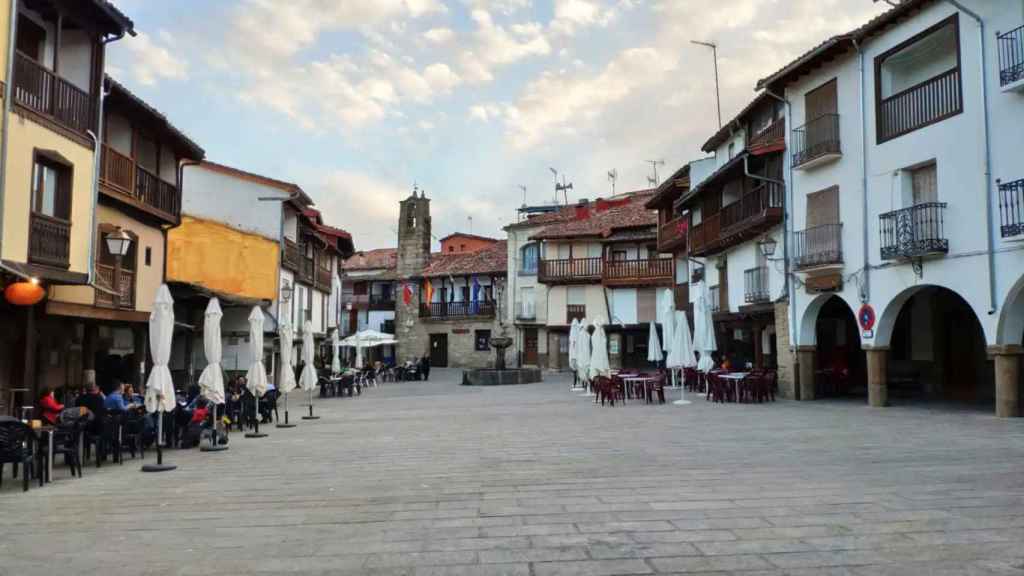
(414, 256)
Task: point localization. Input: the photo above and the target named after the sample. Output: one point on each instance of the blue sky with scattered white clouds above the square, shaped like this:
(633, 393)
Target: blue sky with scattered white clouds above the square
(359, 100)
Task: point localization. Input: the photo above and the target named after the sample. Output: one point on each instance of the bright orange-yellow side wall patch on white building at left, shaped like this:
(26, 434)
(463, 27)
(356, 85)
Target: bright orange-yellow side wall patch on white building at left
(223, 260)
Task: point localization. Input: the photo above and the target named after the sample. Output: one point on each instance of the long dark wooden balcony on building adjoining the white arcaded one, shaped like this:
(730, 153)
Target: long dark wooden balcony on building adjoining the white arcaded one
(757, 212)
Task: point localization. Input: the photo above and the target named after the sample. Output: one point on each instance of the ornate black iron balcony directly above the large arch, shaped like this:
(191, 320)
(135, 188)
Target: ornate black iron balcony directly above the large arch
(914, 232)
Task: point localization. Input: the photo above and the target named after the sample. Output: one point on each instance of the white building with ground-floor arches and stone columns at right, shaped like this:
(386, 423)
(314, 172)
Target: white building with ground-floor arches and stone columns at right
(905, 200)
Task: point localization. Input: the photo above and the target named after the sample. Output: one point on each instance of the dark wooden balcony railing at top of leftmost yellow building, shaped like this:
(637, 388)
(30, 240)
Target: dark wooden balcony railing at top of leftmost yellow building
(42, 92)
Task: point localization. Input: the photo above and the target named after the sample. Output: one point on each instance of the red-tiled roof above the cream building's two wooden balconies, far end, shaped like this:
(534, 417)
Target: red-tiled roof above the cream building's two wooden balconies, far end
(603, 218)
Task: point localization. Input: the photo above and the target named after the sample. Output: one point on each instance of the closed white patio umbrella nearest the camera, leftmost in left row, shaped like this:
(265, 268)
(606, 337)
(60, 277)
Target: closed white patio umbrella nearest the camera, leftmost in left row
(160, 388)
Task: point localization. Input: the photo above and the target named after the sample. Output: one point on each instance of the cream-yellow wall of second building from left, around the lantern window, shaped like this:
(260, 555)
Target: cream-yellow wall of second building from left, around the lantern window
(148, 279)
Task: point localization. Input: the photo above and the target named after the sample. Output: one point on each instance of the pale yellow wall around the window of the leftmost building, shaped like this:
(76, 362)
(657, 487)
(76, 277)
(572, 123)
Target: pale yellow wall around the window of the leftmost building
(25, 138)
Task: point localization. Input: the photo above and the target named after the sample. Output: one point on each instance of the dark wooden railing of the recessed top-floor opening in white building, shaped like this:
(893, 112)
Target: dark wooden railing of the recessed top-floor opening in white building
(920, 106)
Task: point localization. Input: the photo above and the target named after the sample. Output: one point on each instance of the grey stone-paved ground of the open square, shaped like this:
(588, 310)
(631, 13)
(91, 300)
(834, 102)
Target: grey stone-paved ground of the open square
(424, 479)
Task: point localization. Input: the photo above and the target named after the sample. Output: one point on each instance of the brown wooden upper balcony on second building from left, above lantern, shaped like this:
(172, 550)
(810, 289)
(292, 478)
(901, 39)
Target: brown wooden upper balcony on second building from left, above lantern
(122, 179)
